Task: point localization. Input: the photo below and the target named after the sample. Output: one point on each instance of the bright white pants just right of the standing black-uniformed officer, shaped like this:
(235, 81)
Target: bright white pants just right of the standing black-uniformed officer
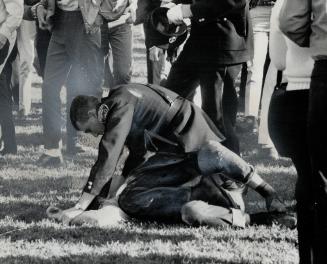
(255, 74)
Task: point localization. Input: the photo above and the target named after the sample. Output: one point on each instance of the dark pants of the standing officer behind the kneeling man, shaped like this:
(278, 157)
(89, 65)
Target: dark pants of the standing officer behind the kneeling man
(219, 97)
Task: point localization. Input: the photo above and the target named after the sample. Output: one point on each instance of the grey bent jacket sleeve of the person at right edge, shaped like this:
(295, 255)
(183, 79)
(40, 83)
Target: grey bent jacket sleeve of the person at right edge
(295, 21)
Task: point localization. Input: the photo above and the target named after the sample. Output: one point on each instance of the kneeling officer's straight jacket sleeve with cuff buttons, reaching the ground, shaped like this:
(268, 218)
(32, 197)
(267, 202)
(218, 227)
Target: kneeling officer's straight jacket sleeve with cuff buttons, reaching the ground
(119, 123)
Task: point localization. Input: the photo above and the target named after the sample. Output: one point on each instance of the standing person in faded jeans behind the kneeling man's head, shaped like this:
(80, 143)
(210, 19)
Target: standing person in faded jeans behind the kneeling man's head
(74, 50)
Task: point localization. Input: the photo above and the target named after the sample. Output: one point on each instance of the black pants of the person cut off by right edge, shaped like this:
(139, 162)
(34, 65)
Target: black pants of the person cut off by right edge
(317, 139)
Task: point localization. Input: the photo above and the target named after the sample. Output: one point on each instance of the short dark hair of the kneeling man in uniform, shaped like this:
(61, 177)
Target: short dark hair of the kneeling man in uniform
(80, 107)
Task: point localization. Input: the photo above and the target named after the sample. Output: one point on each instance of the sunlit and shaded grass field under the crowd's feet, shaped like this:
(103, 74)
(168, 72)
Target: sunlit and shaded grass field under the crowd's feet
(26, 190)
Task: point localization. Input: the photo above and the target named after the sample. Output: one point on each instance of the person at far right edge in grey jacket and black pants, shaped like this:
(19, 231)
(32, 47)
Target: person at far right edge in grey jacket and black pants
(305, 23)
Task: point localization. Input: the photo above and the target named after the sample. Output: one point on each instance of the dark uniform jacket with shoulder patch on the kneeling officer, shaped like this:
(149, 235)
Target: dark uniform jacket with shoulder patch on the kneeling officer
(146, 119)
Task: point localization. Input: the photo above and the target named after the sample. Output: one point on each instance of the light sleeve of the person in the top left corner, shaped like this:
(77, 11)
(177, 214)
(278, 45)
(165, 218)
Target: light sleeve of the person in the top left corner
(15, 10)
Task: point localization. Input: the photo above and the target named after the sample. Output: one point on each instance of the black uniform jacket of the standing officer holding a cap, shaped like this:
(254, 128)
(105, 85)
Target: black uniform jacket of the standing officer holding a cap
(221, 31)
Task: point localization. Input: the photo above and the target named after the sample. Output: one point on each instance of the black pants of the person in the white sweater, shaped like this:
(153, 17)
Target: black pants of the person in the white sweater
(287, 121)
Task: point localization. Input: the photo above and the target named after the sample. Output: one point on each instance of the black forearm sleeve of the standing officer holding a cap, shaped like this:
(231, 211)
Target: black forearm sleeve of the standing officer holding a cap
(215, 8)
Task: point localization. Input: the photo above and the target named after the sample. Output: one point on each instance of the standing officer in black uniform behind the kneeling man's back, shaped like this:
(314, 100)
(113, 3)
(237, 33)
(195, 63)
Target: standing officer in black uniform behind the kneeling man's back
(220, 41)
